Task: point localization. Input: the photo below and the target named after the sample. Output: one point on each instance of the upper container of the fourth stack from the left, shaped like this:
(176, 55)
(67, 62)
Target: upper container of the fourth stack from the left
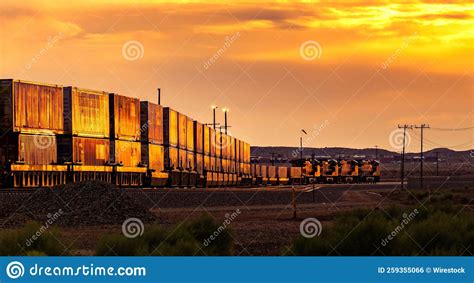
(151, 122)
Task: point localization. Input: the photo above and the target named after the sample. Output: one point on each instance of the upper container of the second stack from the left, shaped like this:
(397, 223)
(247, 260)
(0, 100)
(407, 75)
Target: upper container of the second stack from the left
(86, 112)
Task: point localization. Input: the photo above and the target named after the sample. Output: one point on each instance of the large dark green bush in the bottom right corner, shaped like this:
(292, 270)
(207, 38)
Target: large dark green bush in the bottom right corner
(440, 230)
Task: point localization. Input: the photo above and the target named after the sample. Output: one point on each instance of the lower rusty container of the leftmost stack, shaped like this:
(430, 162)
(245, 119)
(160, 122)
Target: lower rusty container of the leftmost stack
(28, 149)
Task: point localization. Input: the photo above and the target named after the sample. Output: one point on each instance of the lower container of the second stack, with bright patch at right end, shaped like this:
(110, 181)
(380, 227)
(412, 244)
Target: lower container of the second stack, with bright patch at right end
(88, 151)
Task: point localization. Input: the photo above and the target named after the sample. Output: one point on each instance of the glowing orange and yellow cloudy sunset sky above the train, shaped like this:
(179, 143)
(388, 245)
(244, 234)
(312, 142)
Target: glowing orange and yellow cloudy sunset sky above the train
(375, 64)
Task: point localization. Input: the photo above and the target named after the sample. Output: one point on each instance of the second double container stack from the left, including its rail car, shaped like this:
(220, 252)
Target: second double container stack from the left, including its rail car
(85, 144)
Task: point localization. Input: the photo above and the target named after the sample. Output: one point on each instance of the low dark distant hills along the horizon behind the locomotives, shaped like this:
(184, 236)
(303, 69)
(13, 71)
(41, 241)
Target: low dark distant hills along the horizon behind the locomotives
(289, 153)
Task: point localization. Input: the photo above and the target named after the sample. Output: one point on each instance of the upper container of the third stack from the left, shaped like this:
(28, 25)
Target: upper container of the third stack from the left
(124, 117)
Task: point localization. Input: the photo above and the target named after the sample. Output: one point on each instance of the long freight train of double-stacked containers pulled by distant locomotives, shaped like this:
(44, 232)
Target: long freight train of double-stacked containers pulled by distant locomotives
(52, 135)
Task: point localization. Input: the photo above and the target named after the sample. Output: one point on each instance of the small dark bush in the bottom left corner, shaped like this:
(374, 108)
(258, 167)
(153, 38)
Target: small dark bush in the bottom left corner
(21, 241)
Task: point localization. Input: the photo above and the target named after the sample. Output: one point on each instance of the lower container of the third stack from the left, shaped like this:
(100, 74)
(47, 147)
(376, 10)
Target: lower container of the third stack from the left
(127, 153)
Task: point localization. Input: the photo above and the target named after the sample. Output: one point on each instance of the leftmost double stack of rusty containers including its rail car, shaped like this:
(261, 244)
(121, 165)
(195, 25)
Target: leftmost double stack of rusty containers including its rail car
(30, 118)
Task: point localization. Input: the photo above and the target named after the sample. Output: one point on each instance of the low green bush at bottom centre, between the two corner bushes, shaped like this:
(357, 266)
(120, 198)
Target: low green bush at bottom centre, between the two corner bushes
(186, 238)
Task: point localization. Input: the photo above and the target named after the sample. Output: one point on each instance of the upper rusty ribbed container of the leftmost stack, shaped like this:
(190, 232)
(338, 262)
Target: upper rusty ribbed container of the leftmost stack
(29, 107)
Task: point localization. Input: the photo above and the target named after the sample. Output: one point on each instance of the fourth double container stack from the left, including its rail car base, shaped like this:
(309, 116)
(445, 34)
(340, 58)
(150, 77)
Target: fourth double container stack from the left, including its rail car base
(152, 143)
